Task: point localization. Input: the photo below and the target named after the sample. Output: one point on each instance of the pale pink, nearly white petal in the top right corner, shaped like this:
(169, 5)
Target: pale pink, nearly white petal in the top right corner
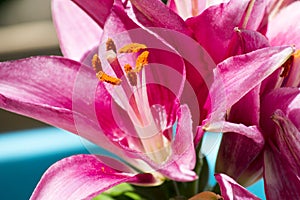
(285, 27)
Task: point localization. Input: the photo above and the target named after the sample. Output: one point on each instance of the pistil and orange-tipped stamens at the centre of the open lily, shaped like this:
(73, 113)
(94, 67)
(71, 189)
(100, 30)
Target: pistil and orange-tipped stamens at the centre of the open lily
(128, 88)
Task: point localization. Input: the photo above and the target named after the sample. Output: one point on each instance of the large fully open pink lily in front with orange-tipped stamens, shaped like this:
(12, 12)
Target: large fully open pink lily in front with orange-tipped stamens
(64, 92)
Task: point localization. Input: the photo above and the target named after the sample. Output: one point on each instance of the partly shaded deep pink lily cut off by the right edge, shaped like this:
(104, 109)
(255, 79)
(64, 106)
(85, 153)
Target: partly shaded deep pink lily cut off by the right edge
(260, 143)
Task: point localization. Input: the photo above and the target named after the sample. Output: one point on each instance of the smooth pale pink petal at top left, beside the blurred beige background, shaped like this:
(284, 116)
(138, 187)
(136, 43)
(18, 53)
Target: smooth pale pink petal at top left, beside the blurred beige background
(77, 32)
